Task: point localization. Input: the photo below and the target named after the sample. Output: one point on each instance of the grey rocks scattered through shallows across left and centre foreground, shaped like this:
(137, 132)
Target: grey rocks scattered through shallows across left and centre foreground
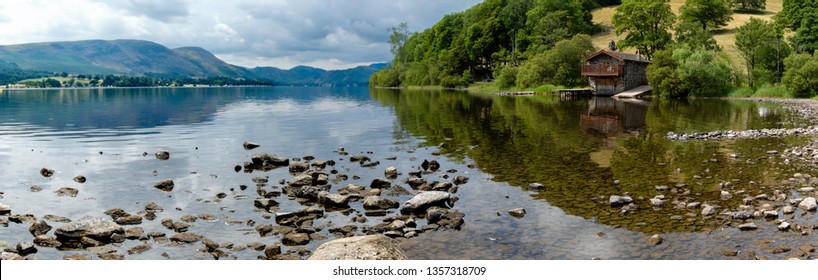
(405, 205)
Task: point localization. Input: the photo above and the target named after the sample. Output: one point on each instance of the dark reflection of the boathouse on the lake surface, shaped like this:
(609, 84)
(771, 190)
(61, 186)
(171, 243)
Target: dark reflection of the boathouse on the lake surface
(608, 117)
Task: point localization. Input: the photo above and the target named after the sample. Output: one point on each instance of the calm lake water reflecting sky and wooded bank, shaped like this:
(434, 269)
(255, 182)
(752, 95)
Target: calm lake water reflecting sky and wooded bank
(582, 151)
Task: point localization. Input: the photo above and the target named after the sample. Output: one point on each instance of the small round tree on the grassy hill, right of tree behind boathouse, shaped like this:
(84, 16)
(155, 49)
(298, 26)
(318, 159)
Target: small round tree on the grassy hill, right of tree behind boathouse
(708, 13)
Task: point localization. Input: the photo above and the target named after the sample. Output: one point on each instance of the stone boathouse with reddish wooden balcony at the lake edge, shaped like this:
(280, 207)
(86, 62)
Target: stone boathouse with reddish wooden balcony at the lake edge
(610, 72)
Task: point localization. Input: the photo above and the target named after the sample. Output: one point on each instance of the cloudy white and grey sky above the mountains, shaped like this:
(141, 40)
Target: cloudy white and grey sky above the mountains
(331, 34)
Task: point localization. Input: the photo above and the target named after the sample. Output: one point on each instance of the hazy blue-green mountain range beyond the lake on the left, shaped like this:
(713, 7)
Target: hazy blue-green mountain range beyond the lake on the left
(137, 57)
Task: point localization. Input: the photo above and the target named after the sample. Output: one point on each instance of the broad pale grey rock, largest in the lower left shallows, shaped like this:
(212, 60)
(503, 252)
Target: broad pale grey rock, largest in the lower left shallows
(91, 227)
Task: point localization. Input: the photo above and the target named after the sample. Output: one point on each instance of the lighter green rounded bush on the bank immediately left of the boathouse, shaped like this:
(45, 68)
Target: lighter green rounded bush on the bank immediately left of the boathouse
(560, 66)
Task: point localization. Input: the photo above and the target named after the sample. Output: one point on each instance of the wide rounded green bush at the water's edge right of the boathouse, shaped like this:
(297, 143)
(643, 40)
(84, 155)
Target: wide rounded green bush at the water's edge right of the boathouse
(685, 71)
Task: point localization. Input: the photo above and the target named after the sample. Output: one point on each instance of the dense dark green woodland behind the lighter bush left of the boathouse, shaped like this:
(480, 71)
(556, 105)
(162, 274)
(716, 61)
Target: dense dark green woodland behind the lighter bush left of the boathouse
(468, 46)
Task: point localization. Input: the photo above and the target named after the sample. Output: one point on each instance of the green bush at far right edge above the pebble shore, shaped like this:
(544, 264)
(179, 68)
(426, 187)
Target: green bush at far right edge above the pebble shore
(801, 77)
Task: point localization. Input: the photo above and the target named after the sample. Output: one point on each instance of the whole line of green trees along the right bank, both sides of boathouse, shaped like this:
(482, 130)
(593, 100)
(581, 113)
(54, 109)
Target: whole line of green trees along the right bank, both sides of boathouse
(525, 43)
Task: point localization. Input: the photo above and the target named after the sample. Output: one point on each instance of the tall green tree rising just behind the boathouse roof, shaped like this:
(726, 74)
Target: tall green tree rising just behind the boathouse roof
(646, 23)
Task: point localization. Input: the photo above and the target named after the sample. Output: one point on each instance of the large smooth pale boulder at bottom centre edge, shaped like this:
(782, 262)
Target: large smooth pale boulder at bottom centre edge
(369, 247)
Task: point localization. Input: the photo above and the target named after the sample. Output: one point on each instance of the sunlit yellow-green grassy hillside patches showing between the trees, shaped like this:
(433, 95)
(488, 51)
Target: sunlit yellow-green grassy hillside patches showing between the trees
(726, 38)
